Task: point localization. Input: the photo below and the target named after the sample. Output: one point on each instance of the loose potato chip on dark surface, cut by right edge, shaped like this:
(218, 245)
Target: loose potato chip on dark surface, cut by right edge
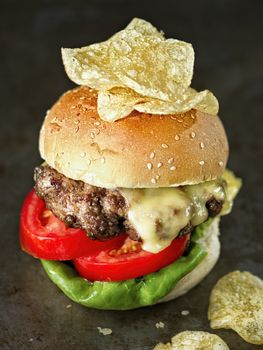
(236, 302)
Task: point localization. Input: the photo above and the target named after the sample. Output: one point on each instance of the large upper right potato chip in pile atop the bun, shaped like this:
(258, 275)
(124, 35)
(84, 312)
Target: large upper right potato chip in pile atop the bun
(152, 66)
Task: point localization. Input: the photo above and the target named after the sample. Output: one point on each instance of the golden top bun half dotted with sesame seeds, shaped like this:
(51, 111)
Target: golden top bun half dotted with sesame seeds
(142, 150)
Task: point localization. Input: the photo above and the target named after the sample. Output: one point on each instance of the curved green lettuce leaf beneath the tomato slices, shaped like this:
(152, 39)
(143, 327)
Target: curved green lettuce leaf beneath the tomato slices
(124, 295)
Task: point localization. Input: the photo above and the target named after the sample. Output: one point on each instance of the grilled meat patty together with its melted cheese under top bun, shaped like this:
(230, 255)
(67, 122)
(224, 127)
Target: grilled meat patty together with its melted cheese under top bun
(154, 215)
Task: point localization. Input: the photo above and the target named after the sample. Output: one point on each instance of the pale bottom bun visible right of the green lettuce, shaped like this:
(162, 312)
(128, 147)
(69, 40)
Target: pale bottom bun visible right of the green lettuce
(211, 244)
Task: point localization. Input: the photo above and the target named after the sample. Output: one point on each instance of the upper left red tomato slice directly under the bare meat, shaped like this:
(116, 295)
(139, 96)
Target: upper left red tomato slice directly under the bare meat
(46, 237)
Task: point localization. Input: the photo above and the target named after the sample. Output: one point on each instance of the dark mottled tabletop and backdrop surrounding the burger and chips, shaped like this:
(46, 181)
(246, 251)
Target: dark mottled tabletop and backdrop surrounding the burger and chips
(227, 37)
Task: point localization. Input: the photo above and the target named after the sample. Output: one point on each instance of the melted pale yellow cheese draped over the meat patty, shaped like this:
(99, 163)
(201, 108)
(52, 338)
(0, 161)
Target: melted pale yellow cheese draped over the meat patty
(158, 215)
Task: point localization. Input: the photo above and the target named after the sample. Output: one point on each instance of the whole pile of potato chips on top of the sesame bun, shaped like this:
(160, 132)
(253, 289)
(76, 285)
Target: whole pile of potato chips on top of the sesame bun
(137, 68)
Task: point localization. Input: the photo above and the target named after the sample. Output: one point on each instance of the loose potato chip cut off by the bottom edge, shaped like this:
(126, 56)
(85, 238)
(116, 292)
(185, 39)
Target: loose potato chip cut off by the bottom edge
(194, 340)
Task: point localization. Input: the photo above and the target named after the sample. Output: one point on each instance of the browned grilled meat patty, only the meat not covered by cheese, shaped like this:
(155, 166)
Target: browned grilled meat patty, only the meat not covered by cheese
(101, 212)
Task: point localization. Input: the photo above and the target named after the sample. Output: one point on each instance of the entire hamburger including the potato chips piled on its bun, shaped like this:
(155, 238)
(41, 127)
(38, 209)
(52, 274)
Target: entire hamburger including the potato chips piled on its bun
(126, 206)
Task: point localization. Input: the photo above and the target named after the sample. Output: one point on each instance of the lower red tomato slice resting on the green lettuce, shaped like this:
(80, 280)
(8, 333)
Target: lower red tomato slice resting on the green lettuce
(128, 261)
